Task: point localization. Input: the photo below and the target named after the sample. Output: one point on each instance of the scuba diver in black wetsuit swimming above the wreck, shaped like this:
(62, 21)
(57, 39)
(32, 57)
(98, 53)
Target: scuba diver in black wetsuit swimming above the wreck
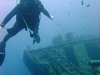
(27, 17)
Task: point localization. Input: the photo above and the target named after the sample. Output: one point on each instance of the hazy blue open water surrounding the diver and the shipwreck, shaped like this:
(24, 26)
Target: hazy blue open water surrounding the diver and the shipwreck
(69, 16)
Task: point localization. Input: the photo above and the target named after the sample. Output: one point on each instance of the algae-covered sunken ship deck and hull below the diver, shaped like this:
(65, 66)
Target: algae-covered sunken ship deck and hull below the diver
(64, 59)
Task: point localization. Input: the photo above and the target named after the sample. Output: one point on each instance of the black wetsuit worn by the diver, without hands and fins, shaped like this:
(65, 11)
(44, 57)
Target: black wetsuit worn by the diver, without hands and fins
(30, 12)
